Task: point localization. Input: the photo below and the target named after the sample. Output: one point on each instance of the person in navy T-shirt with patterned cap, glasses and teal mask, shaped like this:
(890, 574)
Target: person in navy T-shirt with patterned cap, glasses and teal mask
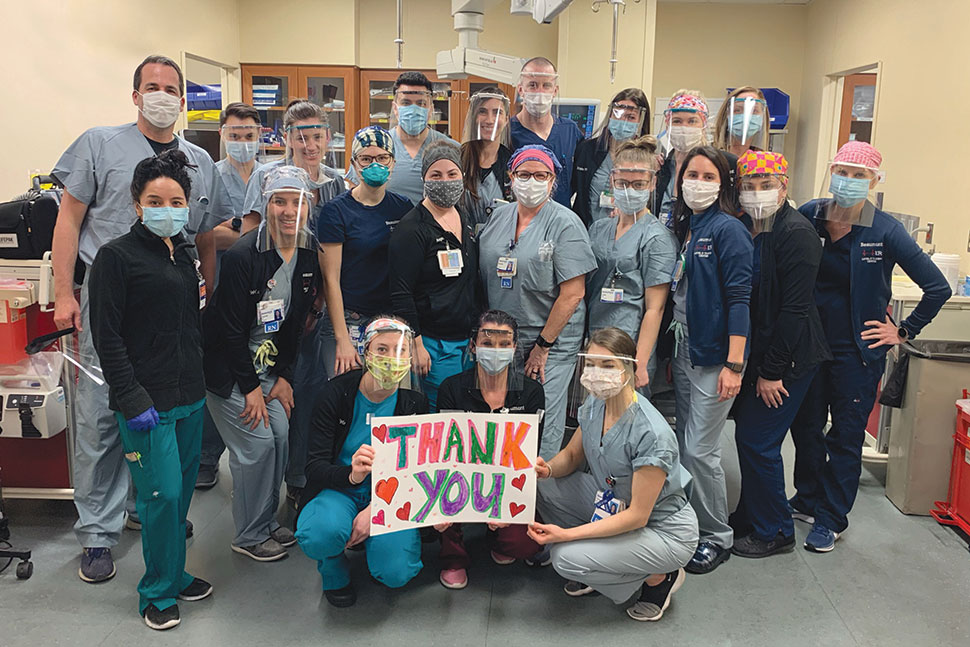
(354, 231)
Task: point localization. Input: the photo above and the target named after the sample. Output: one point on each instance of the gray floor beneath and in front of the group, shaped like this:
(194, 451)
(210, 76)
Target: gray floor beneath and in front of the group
(892, 580)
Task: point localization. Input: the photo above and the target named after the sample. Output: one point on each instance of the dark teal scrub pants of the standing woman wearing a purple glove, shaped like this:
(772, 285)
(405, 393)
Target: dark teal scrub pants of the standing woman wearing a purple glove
(164, 463)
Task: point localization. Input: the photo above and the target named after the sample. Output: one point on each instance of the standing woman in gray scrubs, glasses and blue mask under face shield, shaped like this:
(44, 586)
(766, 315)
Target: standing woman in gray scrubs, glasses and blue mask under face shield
(635, 257)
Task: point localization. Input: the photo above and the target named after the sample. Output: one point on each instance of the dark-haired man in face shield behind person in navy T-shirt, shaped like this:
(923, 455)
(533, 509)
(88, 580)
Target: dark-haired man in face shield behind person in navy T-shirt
(411, 134)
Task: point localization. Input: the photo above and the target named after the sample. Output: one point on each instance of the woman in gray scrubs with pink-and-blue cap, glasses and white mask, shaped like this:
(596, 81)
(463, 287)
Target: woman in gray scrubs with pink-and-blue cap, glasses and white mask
(533, 258)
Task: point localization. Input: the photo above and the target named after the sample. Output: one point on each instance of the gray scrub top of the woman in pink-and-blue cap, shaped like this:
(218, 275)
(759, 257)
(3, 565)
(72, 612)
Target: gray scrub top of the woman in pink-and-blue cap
(535, 285)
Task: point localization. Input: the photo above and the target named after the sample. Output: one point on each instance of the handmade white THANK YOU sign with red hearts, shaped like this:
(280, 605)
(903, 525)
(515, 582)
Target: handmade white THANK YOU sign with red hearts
(457, 467)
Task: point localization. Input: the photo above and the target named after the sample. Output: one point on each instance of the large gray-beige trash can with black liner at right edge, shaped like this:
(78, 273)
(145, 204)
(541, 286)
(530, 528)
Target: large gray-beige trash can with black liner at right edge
(921, 436)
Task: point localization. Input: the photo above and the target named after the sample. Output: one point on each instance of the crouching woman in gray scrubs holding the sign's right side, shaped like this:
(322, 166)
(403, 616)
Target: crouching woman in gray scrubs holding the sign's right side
(625, 527)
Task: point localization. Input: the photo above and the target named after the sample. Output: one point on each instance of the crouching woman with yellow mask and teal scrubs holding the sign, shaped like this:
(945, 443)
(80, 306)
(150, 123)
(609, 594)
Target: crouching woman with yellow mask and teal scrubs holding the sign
(335, 507)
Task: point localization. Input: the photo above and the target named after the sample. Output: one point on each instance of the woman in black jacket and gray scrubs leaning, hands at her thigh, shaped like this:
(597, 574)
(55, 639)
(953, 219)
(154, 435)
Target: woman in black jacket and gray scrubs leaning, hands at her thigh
(252, 336)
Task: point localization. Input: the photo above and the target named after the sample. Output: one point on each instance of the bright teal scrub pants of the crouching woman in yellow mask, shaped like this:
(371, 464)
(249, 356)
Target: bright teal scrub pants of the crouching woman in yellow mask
(323, 530)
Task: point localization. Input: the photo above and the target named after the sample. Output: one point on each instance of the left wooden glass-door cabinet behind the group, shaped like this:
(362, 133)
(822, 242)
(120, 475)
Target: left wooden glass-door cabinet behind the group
(269, 88)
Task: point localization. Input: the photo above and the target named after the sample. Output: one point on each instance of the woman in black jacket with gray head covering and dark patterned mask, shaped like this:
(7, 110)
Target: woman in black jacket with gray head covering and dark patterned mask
(433, 260)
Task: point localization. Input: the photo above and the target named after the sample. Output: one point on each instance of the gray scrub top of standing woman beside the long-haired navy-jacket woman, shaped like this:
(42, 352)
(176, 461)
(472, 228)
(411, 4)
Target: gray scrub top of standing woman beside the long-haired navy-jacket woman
(643, 257)
